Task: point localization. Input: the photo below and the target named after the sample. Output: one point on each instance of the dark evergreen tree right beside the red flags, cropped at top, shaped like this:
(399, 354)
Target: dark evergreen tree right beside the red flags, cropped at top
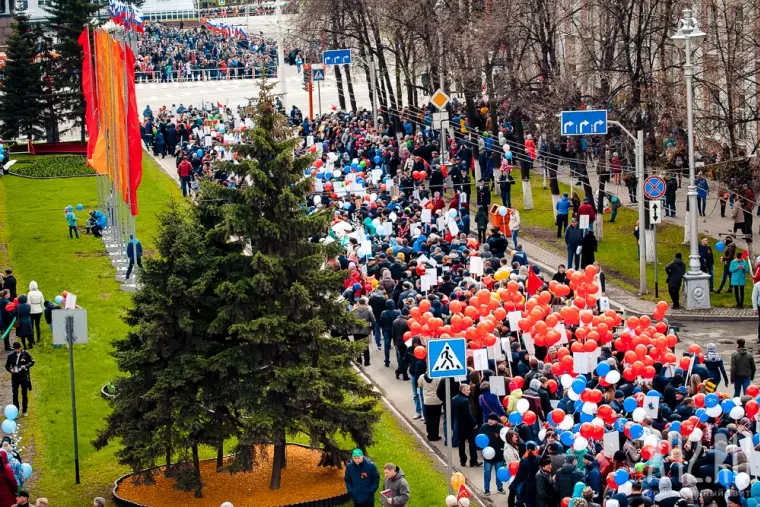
(67, 20)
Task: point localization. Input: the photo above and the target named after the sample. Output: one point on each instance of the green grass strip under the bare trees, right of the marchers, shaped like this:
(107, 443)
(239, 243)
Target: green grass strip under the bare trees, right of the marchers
(617, 251)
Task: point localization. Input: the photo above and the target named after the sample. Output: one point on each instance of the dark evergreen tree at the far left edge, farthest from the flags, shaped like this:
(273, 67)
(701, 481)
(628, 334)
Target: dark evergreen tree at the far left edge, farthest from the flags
(21, 103)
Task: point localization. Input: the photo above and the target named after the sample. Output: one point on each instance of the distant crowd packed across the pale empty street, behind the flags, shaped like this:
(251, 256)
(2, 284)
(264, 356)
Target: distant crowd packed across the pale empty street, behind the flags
(168, 53)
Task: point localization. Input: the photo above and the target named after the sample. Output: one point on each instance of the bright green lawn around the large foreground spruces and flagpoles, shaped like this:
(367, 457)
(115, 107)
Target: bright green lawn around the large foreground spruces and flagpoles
(33, 228)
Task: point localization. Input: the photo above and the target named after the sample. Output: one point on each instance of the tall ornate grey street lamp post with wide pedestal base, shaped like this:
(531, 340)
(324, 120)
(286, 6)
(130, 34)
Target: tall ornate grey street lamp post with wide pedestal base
(697, 288)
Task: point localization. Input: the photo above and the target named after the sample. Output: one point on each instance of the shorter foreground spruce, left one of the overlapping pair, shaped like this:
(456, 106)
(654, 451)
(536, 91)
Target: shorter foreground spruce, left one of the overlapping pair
(173, 397)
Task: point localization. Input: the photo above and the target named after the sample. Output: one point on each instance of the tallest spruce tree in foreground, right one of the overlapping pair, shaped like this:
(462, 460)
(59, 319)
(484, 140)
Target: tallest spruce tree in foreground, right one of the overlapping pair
(293, 376)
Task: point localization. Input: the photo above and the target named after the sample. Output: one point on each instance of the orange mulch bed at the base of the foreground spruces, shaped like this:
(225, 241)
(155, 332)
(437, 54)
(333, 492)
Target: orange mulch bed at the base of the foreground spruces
(301, 481)
